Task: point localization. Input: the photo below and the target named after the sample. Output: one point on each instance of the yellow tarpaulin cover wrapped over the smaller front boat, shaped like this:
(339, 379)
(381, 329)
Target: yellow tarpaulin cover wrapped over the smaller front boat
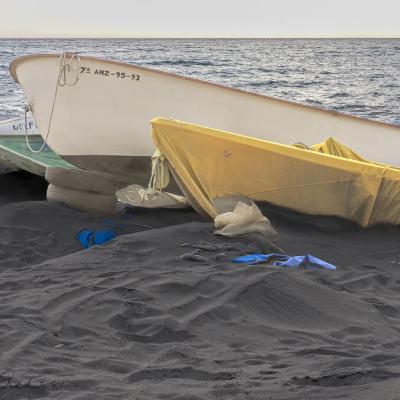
(210, 163)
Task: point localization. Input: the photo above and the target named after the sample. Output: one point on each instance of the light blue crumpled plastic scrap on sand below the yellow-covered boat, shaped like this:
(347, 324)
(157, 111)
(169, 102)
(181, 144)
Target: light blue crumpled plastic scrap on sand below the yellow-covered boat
(283, 260)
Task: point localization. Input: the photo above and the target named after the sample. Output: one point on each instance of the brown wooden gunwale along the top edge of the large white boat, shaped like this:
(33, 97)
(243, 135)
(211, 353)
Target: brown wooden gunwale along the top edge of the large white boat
(13, 65)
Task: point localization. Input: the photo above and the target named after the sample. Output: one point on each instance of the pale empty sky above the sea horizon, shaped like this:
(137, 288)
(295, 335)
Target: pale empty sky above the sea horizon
(200, 18)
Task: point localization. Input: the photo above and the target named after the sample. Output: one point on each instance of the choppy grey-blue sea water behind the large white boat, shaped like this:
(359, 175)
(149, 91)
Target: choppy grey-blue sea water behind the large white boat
(354, 76)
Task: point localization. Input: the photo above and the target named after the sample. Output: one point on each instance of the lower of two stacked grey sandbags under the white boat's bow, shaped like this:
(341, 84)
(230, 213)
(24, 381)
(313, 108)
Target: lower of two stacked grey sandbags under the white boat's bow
(85, 201)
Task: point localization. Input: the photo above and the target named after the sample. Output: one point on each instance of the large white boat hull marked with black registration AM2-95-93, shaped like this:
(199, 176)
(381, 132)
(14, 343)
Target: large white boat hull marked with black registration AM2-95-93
(102, 122)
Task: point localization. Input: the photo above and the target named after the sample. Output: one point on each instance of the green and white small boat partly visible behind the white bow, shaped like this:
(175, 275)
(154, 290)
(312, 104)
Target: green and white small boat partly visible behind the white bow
(15, 154)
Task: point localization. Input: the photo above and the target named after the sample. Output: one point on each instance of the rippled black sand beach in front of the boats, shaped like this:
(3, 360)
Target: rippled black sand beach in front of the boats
(162, 313)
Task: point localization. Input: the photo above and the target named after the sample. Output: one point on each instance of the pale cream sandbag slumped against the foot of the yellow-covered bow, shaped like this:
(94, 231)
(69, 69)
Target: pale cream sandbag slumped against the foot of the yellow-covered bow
(244, 219)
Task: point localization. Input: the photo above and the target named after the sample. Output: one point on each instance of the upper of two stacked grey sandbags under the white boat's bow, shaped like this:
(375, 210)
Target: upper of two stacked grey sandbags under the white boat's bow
(88, 181)
